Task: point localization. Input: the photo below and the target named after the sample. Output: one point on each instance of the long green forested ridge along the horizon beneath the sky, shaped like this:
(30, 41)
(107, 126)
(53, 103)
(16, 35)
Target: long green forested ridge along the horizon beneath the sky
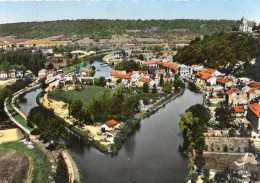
(103, 28)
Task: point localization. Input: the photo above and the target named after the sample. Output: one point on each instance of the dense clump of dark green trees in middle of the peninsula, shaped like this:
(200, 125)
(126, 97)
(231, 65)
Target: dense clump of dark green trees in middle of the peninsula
(120, 104)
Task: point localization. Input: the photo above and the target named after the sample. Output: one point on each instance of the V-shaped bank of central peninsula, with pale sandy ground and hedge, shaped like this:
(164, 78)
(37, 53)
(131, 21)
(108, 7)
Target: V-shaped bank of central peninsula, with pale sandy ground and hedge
(94, 132)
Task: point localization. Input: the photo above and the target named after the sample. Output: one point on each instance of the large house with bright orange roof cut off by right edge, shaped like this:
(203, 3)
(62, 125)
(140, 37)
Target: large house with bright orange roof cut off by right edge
(253, 116)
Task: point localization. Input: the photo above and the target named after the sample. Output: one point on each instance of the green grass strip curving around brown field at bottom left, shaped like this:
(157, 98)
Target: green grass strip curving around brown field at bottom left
(41, 168)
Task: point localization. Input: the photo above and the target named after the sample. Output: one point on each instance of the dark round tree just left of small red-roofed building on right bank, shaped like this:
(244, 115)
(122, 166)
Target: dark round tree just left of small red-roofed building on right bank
(224, 116)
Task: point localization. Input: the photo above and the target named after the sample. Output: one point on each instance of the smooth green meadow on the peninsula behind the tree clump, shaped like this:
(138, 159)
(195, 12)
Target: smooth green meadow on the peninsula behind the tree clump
(86, 95)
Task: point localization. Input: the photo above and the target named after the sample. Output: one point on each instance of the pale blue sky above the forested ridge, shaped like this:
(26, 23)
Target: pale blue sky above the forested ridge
(43, 10)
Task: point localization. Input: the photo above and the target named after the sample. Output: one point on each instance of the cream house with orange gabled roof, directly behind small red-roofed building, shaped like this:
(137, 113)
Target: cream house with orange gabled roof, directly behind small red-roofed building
(235, 96)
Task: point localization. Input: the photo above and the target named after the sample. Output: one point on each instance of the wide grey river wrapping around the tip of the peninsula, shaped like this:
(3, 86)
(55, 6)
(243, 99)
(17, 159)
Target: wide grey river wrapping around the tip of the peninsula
(150, 154)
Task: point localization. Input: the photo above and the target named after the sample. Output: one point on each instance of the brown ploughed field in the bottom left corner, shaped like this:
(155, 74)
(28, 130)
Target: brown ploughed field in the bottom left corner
(14, 166)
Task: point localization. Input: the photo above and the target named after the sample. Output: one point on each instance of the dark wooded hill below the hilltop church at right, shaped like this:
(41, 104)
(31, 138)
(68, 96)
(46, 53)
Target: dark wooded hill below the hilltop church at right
(223, 51)
